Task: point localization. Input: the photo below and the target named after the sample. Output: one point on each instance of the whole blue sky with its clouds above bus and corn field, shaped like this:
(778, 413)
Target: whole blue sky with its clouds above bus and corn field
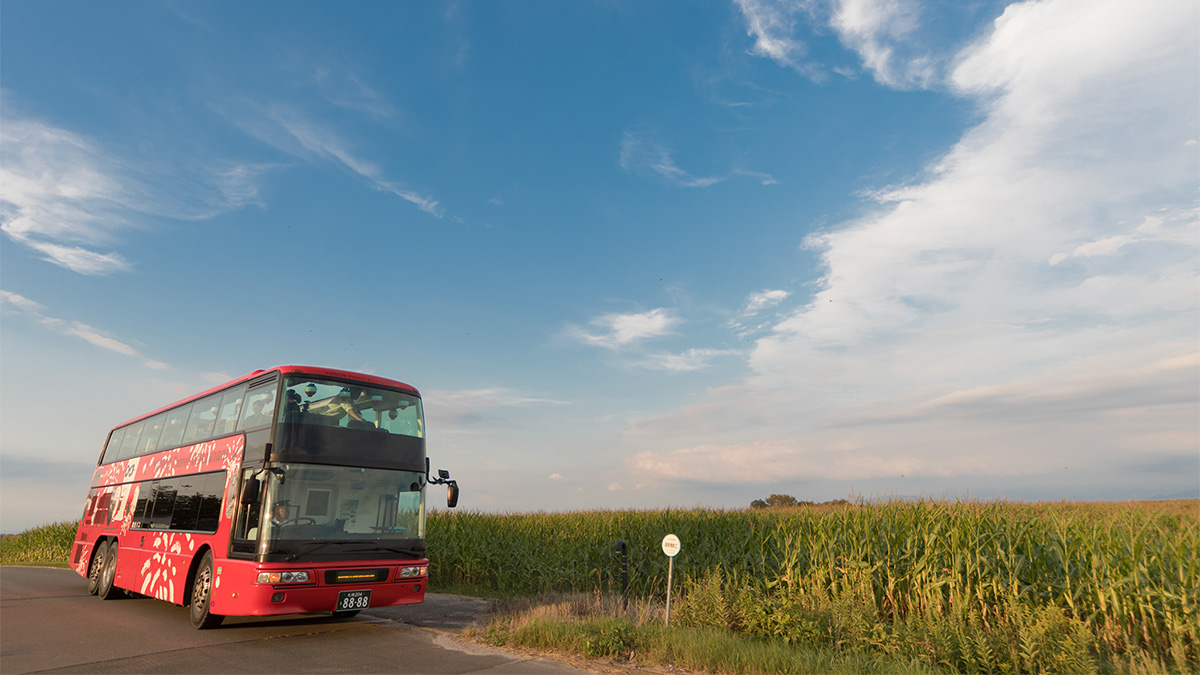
(633, 254)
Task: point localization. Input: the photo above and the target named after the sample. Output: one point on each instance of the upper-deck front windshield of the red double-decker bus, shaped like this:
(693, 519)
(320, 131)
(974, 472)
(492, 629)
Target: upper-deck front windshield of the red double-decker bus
(326, 403)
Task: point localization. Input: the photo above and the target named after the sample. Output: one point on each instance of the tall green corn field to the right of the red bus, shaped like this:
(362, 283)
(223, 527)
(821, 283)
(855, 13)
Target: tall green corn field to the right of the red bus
(1126, 575)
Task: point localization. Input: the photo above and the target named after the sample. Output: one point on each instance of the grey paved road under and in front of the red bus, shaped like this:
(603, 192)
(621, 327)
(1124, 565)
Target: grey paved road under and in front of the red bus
(50, 624)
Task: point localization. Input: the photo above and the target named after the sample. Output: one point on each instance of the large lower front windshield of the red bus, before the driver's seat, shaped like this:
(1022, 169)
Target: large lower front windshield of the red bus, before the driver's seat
(308, 503)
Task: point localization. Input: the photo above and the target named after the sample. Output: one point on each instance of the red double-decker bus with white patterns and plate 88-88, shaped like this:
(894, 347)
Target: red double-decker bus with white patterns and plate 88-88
(289, 491)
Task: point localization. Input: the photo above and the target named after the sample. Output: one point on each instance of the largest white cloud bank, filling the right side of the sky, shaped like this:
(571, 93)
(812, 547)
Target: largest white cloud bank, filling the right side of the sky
(940, 341)
